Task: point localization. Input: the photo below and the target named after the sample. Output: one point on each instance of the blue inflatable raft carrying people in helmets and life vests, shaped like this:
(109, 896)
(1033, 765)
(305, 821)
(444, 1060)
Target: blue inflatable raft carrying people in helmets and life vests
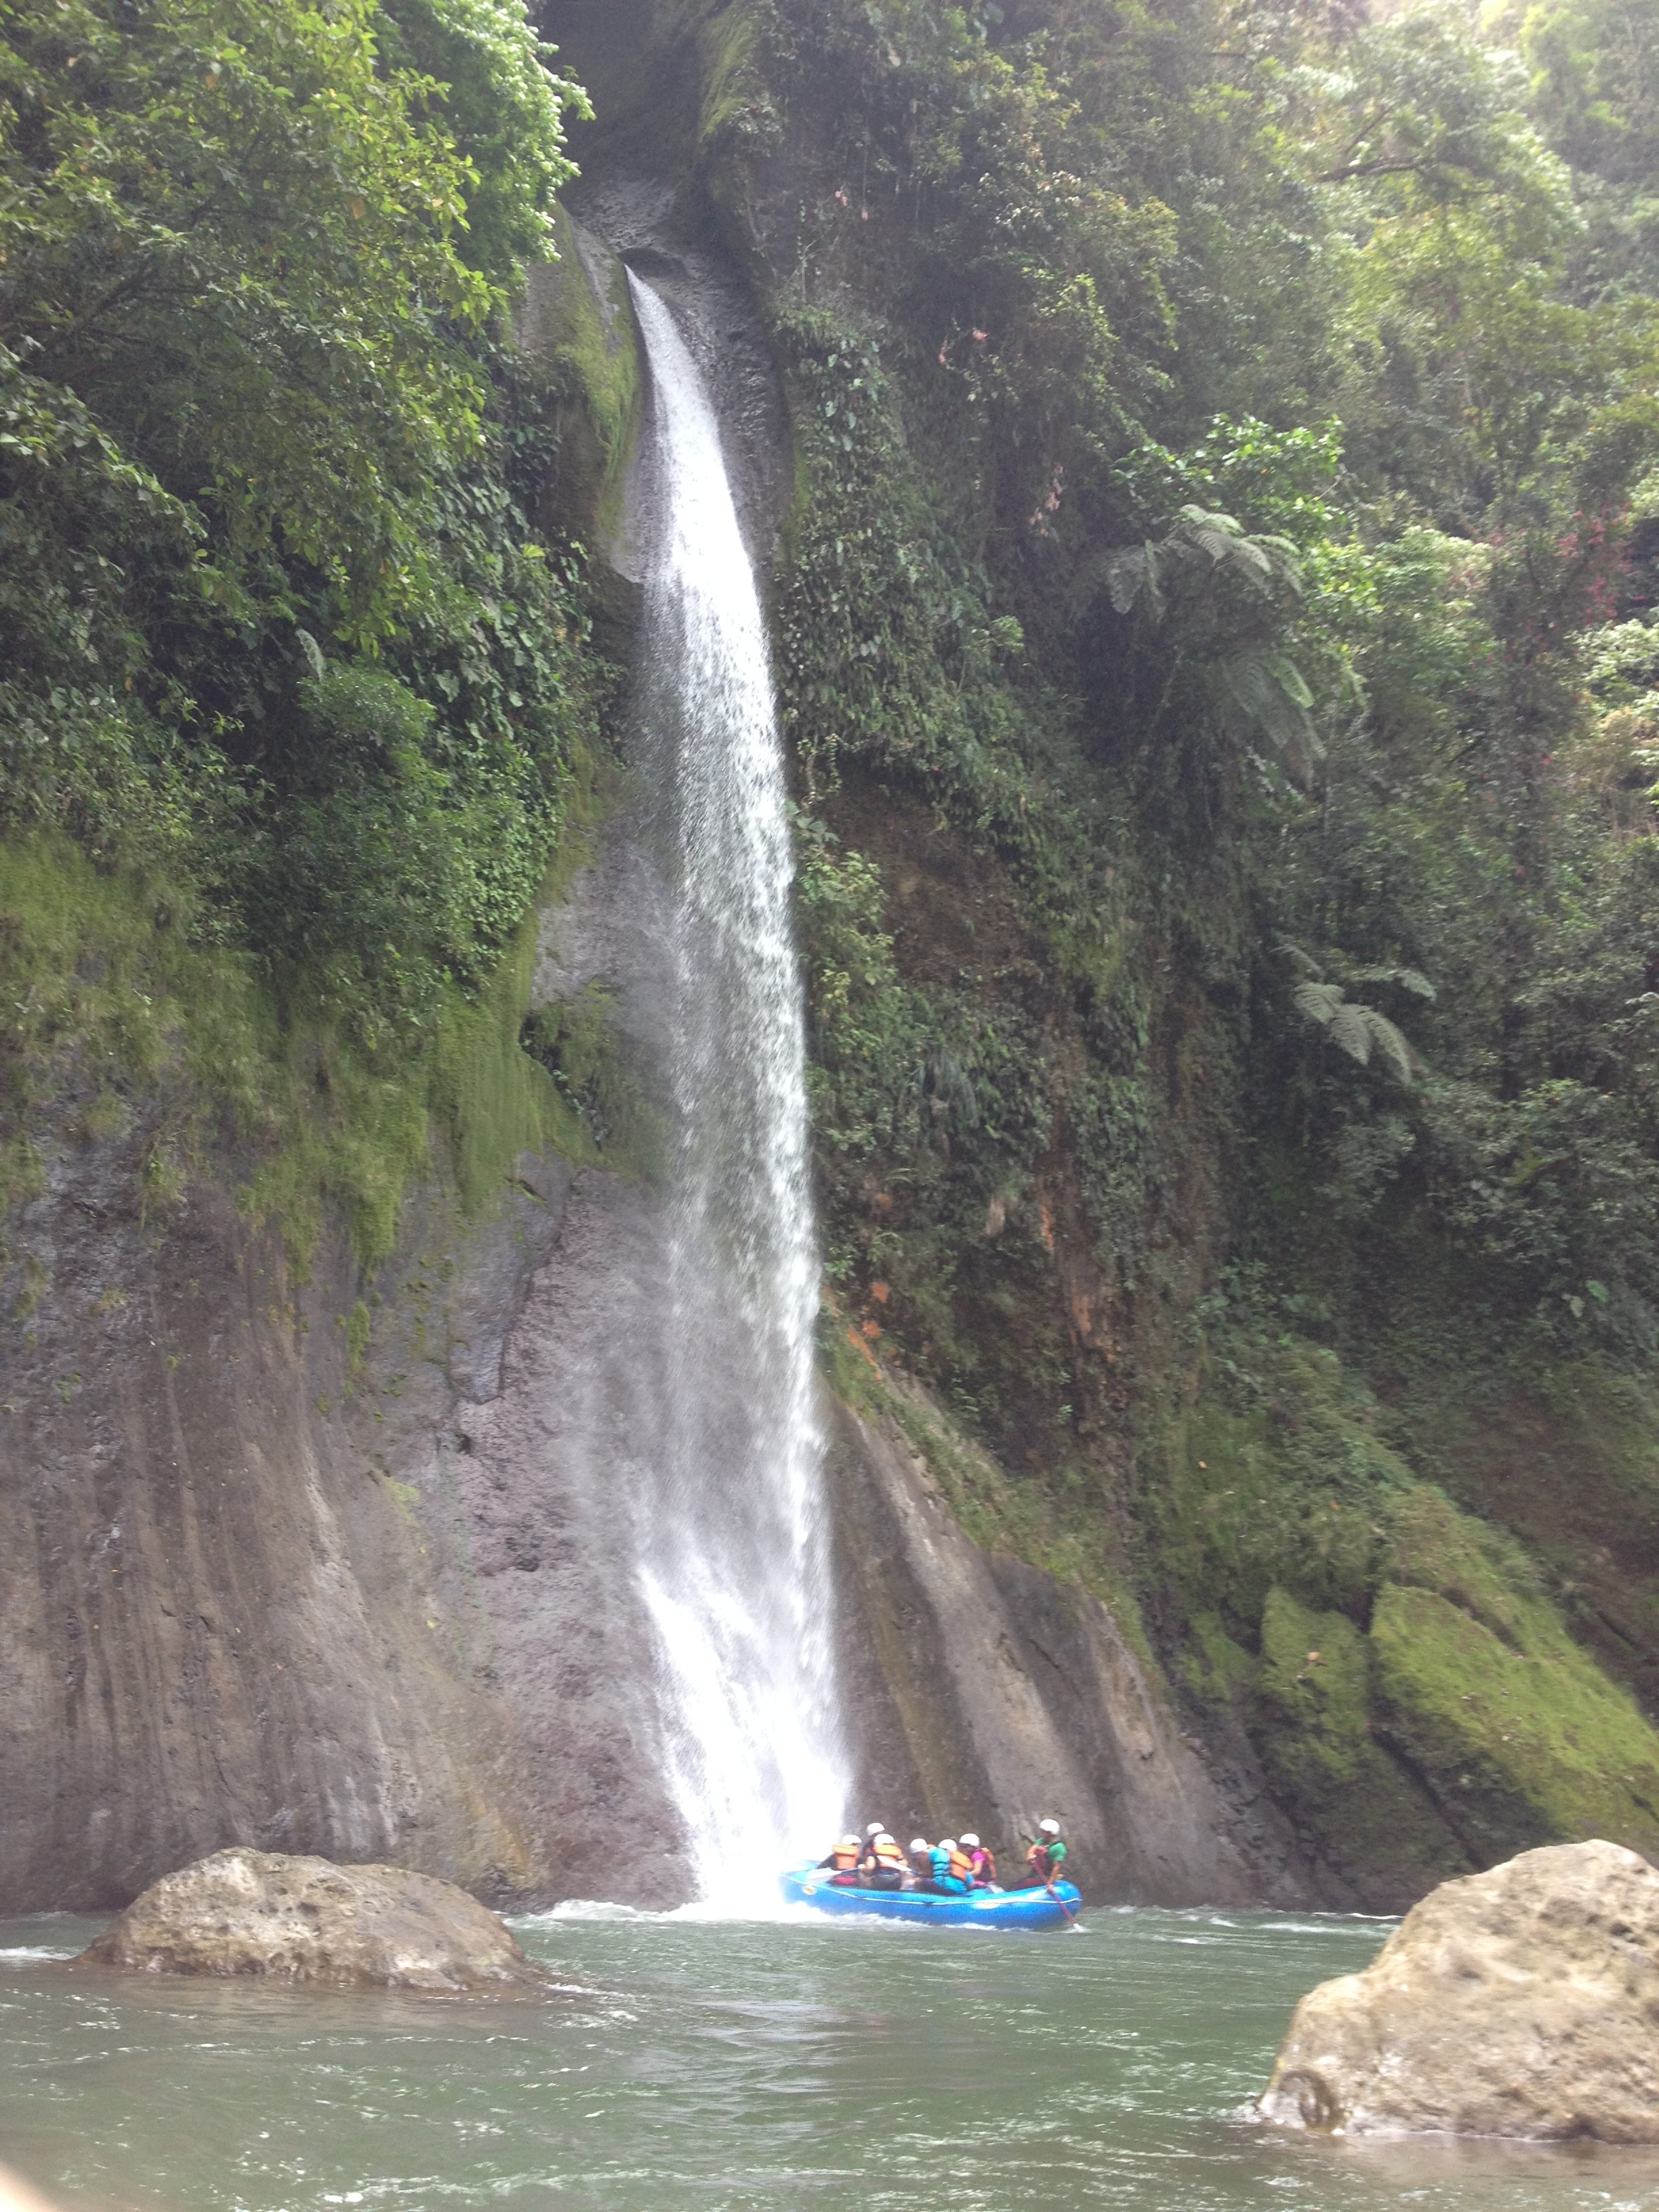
(948, 1884)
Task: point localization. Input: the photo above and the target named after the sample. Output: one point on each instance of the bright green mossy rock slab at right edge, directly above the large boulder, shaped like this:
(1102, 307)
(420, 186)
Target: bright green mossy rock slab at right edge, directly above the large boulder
(1521, 1740)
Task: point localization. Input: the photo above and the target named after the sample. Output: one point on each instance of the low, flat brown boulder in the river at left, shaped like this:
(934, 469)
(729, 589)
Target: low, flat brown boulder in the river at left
(311, 1921)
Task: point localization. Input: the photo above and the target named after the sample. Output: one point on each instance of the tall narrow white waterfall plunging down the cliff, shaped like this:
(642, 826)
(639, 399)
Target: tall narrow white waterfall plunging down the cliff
(733, 1525)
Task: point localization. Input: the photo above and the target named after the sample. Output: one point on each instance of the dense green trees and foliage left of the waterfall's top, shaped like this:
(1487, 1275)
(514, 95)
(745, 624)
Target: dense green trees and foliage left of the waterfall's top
(275, 632)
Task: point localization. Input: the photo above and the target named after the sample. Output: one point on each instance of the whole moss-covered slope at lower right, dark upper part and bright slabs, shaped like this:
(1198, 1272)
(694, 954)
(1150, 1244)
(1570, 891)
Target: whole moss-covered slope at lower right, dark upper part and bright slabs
(1410, 1684)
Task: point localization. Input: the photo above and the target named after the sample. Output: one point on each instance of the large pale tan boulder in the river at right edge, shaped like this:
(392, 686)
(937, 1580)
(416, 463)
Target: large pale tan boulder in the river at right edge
(1512, 2003)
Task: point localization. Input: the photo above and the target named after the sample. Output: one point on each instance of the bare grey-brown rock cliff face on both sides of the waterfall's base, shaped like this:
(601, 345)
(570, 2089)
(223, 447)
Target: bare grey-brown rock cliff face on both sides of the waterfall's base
(251, 1598)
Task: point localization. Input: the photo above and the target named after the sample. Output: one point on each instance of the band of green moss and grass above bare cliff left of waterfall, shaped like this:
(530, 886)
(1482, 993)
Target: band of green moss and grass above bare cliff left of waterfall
(125, 1027)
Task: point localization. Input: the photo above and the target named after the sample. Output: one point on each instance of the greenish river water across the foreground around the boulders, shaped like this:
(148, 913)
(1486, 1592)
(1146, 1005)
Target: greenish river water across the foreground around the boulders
(733, 2065)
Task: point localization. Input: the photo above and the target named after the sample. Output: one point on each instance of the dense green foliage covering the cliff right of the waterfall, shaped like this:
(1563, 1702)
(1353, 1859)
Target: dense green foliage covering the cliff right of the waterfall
(1224, 497)
